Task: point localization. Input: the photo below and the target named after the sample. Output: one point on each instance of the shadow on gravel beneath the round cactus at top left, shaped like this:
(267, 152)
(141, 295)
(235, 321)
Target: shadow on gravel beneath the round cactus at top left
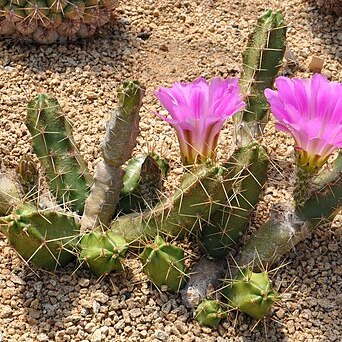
(109, 47)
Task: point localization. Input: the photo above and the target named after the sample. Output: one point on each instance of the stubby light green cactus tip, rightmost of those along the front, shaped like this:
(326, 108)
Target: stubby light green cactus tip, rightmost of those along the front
(250, 293)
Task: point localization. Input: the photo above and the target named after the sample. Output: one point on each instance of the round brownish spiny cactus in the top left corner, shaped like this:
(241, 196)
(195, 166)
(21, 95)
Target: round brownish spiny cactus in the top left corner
(45, 21)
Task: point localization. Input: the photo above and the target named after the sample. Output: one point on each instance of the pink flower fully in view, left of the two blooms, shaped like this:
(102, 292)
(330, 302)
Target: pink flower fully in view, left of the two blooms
(198, 111)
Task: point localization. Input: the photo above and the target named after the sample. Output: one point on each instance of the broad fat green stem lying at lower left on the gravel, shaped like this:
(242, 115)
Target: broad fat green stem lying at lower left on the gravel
(45, 238)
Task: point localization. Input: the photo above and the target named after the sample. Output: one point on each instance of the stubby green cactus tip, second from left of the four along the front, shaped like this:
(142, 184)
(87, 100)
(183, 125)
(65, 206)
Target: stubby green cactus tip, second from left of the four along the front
(164, 264)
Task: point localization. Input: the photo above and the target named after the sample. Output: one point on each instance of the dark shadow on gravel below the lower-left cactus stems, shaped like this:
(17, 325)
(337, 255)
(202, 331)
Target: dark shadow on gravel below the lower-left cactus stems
(54, 305)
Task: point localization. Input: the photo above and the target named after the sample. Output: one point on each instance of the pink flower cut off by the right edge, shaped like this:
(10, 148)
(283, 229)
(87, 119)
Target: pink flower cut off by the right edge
(311, 110)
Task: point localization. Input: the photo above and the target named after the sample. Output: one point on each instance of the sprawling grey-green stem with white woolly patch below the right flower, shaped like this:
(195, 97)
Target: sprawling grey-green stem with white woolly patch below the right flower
(284, 230)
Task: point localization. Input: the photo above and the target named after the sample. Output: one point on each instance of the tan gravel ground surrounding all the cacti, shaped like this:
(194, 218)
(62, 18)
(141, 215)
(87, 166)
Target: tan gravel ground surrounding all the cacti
(157, 43)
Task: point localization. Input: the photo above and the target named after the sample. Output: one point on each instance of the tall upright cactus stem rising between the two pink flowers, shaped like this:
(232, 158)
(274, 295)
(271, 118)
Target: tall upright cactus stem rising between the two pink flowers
(261, 62)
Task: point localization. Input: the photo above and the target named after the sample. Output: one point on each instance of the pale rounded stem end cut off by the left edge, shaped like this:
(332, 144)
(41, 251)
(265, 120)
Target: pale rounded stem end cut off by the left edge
(10, 194)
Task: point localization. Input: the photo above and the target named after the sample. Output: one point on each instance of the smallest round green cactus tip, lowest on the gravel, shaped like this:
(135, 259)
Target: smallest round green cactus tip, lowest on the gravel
(210, 313)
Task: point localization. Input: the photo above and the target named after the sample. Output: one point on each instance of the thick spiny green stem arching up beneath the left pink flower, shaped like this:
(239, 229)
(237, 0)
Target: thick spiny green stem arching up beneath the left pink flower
(202, 191)
